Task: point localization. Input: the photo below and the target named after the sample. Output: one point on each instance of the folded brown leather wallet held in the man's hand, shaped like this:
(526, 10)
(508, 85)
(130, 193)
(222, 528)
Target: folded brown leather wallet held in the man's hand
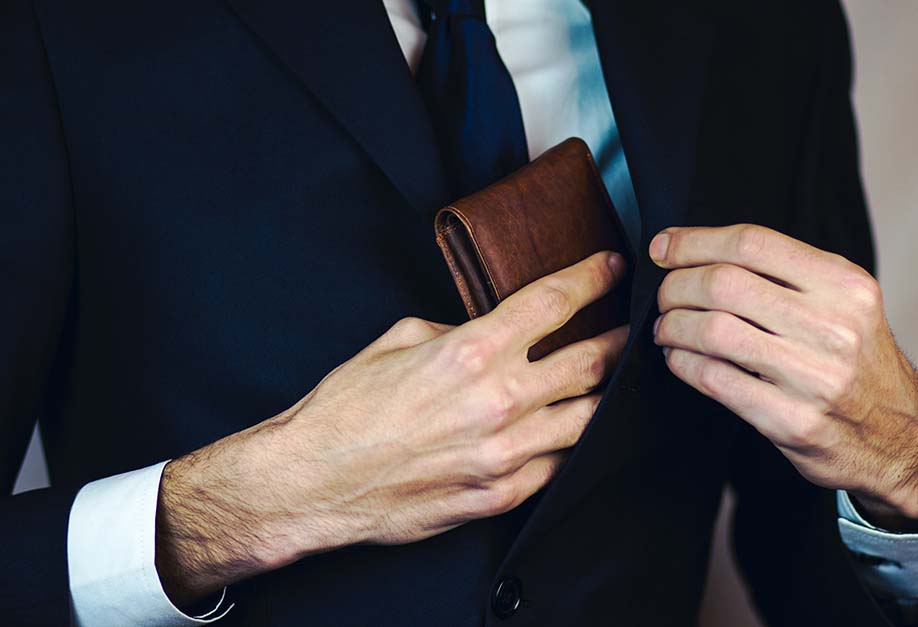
(546, 216)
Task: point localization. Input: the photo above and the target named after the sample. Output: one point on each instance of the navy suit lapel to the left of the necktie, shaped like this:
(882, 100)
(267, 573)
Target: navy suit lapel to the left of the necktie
(347, 54)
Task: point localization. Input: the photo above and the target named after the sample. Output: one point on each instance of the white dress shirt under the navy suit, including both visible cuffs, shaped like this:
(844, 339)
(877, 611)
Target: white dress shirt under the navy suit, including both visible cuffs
(549, 48)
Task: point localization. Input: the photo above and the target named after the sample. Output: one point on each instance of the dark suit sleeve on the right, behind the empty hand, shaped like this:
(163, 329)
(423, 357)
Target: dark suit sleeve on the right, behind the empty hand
(785, 529)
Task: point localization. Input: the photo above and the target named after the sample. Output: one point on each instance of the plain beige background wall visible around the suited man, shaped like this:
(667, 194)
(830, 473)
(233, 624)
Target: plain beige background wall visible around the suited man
(886, 47)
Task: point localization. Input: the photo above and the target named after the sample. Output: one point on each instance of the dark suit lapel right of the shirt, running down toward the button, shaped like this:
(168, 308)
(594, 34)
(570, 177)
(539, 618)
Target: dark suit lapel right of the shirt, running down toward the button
(654, 56)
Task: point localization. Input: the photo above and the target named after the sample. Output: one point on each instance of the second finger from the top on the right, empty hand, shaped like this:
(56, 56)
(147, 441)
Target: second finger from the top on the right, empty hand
(733, 289)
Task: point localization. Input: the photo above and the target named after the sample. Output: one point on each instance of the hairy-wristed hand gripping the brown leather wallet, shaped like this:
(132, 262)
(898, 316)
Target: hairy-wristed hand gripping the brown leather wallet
(427, 428)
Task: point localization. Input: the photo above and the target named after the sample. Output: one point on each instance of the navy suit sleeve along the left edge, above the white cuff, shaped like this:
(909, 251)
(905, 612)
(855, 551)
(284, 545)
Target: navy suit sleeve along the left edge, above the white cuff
(36, 277)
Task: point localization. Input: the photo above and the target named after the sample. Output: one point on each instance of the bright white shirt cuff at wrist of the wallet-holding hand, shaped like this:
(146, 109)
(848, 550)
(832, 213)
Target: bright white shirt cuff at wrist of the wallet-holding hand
(111, 549)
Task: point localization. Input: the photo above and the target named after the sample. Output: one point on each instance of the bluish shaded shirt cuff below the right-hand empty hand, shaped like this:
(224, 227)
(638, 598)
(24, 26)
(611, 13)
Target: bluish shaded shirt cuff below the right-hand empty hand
(887, 562)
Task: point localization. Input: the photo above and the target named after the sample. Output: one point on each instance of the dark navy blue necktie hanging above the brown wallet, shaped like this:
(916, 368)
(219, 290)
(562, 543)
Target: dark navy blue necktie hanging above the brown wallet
(470, 96)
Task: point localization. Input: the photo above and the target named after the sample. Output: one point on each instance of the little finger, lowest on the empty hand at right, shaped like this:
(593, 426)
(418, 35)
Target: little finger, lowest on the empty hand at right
(760, 403)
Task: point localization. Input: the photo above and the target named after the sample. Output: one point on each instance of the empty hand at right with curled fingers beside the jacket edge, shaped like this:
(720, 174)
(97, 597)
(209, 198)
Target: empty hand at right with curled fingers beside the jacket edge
(795, 341)
